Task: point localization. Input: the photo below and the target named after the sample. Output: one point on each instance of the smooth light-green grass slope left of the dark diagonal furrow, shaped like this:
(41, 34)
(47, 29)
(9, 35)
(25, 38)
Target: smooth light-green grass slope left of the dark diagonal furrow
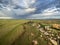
(11, 30)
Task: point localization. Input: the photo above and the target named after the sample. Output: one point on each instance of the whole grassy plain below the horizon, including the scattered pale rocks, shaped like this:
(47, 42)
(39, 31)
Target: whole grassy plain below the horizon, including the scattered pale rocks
(29, 32)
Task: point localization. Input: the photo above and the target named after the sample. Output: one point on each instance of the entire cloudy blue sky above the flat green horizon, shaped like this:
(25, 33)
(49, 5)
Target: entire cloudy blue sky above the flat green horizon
(29, 9)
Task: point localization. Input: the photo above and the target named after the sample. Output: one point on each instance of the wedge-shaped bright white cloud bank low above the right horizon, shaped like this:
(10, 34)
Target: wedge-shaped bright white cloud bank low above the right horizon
(48, 13)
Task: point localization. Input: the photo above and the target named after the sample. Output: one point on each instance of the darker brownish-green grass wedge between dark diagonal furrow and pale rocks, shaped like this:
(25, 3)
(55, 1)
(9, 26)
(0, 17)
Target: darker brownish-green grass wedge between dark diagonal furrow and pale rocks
(27, 38)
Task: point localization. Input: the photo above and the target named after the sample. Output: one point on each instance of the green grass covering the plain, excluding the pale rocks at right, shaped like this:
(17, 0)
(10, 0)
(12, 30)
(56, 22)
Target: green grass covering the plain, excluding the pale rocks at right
(21, 32)
